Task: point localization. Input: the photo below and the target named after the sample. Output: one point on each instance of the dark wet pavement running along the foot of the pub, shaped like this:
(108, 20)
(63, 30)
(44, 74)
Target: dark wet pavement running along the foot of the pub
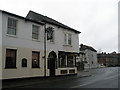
(31, 81)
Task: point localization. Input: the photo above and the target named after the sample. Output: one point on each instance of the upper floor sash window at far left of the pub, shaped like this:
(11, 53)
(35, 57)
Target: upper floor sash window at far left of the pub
(12, 26)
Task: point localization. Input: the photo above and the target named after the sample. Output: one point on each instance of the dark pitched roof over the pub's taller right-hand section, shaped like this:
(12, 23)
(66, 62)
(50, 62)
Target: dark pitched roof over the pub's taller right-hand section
(41, 18)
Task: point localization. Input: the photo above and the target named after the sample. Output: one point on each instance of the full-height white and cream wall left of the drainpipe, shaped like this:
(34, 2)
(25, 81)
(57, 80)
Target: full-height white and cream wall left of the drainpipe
(25, 45)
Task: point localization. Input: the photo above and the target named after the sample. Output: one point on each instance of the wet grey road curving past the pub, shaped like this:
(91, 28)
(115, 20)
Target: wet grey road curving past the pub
(101, 78)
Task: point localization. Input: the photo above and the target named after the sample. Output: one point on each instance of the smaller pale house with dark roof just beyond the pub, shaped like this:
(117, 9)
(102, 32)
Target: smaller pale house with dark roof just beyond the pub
(90, 56)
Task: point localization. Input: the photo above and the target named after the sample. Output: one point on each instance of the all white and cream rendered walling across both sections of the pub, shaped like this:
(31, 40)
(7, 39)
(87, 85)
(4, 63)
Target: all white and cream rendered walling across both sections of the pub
(25, 45)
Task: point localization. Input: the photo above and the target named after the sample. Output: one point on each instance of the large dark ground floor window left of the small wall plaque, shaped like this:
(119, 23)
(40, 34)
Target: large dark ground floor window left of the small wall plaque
(10, 58)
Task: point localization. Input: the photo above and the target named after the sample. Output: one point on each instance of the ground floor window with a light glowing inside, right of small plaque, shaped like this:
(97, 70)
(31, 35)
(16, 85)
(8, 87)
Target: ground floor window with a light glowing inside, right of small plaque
(35, 59)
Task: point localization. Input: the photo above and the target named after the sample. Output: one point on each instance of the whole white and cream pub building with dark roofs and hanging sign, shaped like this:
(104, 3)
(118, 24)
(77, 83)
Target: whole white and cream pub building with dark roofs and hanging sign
(29, 51)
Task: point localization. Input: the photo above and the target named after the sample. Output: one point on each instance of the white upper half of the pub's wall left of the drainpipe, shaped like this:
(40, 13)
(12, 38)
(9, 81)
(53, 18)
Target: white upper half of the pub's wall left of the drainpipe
(24, 35)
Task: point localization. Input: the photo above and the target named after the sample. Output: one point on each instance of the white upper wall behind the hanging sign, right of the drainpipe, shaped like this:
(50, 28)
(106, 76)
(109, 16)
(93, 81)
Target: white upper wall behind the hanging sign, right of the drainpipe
(58, 45)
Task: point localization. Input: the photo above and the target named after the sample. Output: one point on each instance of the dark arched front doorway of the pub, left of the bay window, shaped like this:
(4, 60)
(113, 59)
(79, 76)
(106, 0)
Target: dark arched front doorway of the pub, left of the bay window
(51, 63)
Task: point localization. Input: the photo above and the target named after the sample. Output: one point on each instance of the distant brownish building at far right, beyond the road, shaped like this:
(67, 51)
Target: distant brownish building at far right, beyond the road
(108, 59)
